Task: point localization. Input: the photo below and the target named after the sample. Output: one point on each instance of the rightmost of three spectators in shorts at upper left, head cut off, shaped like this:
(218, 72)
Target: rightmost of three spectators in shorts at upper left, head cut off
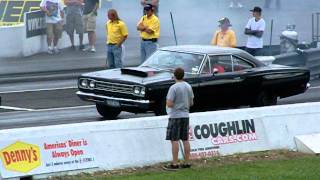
(89, 22)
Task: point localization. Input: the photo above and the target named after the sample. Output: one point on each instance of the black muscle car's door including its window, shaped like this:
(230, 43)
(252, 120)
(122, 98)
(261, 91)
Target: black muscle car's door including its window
(220, 83)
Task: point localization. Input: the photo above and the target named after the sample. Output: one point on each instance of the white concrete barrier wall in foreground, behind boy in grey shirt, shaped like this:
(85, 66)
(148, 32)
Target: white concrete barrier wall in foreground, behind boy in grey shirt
(138, 142)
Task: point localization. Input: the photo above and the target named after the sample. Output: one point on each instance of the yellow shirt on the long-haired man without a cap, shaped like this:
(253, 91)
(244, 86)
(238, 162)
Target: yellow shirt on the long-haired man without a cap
(116, 31)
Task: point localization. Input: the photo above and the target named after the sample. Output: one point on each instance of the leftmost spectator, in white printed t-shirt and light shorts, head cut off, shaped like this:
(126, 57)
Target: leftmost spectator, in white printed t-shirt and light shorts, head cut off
(54, 22)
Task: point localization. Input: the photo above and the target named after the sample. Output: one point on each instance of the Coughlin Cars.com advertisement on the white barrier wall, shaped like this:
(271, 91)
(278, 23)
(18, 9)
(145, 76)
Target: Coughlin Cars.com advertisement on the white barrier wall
(209, 138)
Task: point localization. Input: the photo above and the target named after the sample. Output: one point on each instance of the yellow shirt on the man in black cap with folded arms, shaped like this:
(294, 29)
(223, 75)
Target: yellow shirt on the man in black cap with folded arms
(152, 23)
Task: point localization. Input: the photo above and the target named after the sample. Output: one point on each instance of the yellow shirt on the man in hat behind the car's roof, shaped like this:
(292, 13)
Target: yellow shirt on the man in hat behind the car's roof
(227, 39)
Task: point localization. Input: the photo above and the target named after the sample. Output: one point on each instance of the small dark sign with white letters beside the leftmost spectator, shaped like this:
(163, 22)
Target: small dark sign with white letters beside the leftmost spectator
(35, 23)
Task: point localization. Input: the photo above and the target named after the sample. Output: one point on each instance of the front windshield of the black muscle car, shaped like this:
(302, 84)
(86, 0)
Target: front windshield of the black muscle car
(170, 60)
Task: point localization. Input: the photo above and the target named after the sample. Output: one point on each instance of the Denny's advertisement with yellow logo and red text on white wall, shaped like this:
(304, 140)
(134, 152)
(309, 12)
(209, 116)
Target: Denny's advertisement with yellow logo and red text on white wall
(32, 156)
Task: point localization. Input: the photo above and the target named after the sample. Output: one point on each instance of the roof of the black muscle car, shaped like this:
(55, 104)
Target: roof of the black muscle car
(209, 49)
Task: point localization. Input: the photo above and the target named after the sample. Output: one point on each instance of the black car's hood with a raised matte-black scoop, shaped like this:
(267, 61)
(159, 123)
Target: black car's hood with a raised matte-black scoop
(137, 75)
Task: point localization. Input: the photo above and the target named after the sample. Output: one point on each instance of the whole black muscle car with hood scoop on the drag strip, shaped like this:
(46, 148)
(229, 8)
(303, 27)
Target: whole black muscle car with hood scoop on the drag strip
(220, 77)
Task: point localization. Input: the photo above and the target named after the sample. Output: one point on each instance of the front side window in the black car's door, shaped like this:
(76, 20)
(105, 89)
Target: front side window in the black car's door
(221, 63)
